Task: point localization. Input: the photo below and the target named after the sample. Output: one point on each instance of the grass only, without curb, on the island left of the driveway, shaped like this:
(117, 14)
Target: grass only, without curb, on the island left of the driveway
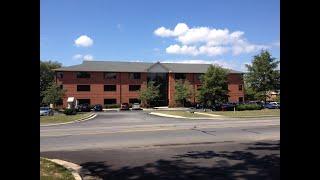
(61, 118)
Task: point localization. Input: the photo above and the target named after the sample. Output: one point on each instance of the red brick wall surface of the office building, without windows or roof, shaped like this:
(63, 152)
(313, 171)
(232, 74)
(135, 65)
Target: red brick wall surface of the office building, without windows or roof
(97, 82)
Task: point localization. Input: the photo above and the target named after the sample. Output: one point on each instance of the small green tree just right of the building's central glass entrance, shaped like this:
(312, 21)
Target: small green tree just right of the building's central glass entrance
(182, 92)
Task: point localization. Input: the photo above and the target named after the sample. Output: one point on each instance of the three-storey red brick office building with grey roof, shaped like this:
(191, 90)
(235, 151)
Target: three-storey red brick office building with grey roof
(107, 82)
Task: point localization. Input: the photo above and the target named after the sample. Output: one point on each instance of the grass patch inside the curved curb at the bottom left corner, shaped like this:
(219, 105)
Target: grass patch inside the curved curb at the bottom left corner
(53, 171)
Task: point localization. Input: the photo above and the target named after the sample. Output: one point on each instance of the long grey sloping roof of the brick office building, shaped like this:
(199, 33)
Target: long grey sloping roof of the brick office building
(120, 66)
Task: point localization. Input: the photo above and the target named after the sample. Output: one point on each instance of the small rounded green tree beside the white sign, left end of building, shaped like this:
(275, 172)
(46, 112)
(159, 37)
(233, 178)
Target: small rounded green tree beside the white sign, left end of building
(53, 94)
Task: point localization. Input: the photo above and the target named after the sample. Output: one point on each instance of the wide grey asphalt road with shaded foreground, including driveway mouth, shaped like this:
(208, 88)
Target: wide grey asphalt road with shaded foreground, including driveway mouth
(135, 145)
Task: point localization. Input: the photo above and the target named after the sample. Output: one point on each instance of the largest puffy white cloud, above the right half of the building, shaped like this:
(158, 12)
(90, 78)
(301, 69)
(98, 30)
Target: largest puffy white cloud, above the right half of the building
(206, 41)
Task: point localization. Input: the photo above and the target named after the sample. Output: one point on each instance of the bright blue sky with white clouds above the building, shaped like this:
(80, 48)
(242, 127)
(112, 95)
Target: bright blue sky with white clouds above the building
(225, 32)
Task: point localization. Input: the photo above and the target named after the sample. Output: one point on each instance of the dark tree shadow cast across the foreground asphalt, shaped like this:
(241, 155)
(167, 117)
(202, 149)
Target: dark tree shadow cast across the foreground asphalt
(251, 166)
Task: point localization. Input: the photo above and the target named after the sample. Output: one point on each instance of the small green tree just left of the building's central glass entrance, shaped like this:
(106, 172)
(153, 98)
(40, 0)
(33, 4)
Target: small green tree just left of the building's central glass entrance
(149, 94)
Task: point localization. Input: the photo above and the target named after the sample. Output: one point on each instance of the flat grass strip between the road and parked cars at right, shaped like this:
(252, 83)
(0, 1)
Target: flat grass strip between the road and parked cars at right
(248, 113)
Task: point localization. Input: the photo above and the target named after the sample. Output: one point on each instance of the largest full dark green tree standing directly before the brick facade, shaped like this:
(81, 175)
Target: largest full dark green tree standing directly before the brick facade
(214, 87)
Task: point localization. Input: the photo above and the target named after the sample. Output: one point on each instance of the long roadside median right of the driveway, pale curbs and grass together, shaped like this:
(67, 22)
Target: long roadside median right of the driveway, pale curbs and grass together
(219, 114)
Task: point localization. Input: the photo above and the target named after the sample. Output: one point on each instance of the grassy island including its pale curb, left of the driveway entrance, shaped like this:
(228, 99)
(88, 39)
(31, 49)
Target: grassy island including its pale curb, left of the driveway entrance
(62, 118)
